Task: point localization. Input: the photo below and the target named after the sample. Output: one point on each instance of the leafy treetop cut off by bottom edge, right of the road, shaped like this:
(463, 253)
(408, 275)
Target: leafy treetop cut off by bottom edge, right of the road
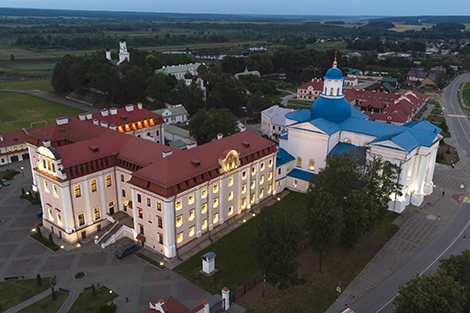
(438, 293)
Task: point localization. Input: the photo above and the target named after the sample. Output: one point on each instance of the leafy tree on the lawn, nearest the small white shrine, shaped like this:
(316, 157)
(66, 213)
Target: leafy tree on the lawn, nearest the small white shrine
(276, 248)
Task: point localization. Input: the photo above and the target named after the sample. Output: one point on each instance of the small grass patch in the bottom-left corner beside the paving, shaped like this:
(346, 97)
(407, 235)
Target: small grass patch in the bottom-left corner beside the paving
(15, 292)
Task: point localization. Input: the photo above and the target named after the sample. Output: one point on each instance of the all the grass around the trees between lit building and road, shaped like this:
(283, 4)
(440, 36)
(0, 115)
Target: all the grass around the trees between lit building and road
(236, 264)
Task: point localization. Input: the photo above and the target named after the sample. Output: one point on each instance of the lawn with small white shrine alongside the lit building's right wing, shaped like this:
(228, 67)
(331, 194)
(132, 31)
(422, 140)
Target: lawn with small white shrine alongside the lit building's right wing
(235, 262)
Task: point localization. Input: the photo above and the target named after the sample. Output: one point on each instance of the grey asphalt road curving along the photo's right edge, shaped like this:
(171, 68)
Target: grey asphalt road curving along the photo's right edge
(448, 241)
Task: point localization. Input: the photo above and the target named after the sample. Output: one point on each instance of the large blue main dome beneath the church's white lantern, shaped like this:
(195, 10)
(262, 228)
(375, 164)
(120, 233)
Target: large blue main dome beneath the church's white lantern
(335, 110)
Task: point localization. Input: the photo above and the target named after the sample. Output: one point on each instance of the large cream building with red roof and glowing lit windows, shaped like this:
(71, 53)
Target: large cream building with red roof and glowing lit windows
(92, 178)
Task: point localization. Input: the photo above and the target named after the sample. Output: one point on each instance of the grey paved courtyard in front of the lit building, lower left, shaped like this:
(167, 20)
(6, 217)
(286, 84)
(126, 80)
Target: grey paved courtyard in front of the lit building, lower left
(130, 277)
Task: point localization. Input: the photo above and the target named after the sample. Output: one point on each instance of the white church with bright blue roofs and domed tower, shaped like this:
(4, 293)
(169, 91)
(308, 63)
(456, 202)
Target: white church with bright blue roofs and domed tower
(332, 126)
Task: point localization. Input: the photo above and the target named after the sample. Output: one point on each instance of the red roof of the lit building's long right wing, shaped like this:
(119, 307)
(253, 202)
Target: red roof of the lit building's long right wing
(178, 172)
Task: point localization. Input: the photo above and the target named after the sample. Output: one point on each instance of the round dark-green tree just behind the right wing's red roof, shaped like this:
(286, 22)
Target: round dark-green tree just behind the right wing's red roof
(204, 126)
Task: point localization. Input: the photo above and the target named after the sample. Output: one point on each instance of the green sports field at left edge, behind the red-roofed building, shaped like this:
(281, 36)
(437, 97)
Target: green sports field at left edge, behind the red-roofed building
(18, 110)
